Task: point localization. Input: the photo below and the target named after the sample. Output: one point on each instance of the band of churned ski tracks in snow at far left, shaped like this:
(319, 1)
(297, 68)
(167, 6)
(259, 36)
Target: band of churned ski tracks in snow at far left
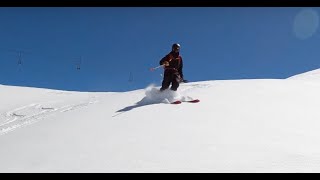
(31, 113)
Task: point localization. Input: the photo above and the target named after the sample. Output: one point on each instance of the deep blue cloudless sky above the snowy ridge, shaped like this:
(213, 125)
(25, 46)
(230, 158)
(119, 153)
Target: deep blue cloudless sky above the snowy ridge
(118, 44)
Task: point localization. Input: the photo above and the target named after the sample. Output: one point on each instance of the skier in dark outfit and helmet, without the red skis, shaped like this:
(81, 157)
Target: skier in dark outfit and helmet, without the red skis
(172, 64)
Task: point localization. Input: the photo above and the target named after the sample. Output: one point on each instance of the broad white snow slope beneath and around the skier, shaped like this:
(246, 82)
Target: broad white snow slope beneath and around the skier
(257, 125)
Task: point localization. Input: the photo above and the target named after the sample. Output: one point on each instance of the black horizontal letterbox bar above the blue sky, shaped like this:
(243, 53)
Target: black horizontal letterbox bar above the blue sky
(160, 3)
